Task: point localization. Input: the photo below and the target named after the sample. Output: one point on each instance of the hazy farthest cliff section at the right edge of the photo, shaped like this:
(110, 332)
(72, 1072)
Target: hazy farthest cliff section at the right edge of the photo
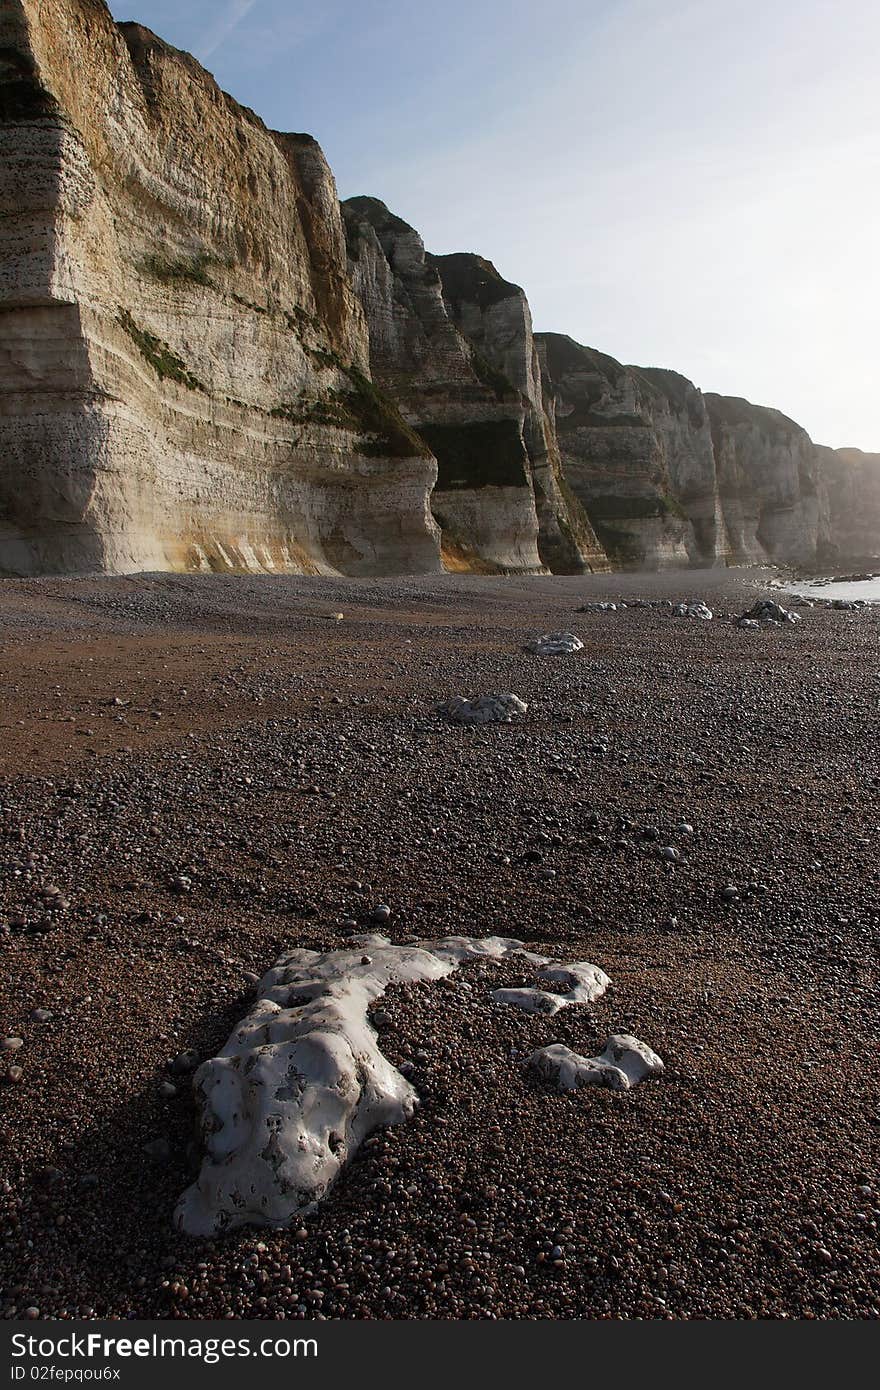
(852, 483)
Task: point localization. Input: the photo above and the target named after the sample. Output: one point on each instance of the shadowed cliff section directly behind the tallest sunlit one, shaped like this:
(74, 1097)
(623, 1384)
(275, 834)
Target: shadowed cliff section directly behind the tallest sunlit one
(453, 343)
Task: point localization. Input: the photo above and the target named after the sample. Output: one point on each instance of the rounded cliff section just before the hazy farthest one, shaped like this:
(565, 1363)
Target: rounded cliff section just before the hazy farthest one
(771, 484)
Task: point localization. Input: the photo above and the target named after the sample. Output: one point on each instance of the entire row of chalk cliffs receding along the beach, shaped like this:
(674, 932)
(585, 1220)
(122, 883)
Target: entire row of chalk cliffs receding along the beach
(208, 363)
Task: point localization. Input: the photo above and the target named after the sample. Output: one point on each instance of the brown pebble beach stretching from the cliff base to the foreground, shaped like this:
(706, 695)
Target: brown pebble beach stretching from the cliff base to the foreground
(288, 764)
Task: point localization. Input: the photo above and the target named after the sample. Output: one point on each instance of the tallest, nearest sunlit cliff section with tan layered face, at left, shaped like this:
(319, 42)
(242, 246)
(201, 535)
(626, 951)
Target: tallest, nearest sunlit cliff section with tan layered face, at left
(184, 359)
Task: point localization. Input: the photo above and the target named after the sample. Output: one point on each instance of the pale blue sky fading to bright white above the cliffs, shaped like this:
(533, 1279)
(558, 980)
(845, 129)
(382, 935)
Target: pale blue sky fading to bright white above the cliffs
(689, 184)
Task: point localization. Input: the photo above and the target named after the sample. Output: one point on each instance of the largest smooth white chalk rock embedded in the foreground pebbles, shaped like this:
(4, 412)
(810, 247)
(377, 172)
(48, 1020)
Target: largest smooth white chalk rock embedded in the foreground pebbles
(301, 1082)
